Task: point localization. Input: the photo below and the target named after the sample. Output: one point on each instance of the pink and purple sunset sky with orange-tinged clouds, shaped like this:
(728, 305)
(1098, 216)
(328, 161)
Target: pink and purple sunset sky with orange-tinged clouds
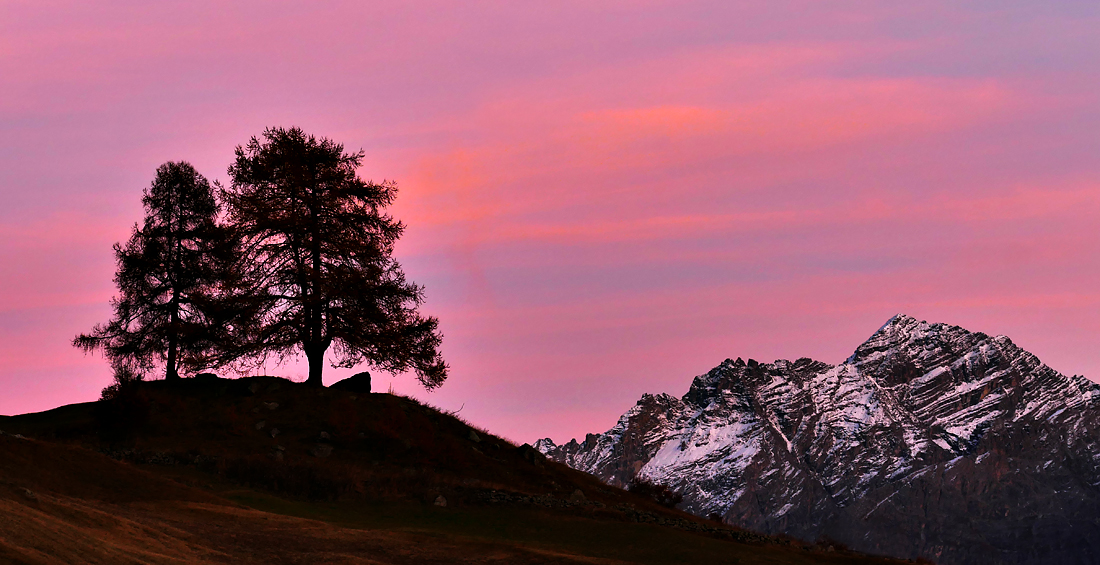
(603, 201)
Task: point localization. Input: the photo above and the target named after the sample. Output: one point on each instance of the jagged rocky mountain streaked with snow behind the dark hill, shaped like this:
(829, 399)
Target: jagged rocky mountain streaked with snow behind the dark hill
(930, 441)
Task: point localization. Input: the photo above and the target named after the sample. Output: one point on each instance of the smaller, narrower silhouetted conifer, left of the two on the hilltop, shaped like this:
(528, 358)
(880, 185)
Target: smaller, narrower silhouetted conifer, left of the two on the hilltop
(167, 274)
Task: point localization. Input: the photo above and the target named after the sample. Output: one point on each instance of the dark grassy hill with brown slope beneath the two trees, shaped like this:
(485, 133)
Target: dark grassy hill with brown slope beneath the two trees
(267, 471)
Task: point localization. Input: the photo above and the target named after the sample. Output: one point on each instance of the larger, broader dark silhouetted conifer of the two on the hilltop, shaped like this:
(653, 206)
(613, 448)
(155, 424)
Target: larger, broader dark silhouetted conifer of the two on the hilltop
(321, 252)
